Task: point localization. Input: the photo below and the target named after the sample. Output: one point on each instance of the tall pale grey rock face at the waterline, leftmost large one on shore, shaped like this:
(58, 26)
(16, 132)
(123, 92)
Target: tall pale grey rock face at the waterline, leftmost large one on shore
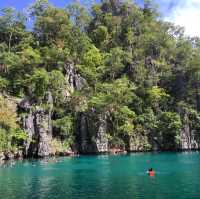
(37, 123)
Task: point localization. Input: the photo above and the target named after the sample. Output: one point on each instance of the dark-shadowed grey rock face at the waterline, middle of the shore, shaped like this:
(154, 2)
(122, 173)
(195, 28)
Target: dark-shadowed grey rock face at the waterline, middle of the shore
(92, 136)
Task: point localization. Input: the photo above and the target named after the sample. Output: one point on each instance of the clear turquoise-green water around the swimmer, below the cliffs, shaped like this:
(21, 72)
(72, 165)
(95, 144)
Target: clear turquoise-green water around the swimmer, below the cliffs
(104, 177)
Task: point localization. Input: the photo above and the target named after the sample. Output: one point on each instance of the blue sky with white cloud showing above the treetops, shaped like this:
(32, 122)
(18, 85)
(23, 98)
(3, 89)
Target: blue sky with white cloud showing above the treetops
(181, 12)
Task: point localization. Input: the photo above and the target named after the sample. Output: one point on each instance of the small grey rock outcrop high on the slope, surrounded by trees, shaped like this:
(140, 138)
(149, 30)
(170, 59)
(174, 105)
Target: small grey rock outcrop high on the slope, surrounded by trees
(75, 81)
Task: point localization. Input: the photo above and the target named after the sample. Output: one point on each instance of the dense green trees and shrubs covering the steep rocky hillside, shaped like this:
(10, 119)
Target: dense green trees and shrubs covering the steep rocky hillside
(141, 72)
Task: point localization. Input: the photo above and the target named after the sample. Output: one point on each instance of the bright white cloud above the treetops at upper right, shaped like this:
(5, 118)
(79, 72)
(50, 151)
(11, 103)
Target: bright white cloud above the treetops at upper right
(186, 13)
